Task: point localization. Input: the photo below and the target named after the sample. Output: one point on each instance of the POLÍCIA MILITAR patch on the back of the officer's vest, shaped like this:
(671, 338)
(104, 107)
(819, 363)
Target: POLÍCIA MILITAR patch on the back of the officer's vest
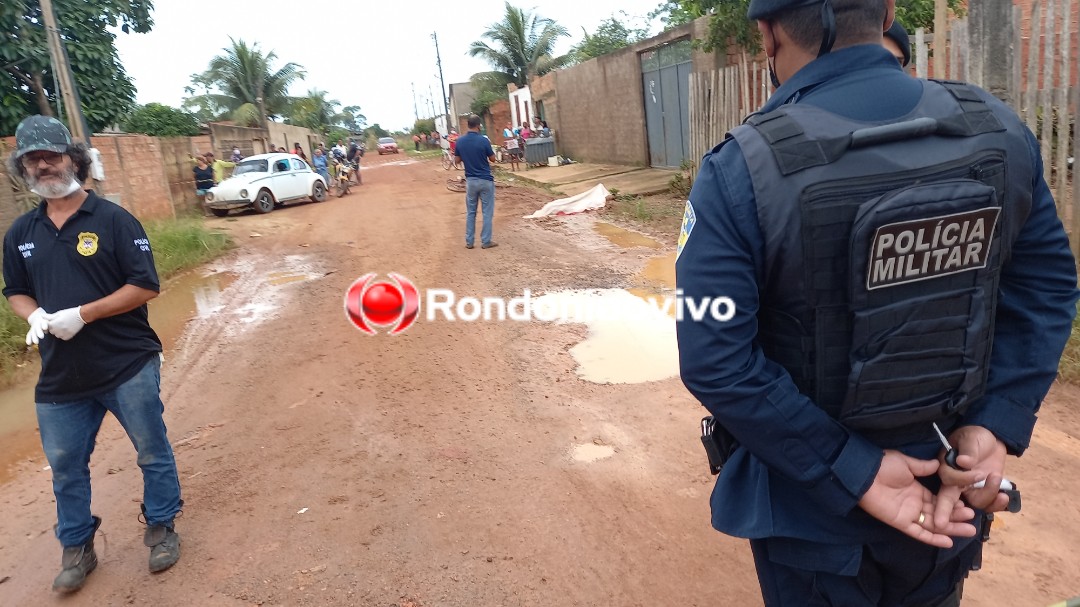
(925, 249)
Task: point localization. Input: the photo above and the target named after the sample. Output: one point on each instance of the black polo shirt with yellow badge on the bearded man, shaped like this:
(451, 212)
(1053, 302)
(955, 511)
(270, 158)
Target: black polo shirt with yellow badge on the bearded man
(100, 249)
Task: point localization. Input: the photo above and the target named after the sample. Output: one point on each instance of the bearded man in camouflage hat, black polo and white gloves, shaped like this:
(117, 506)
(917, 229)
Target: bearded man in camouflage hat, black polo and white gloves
(80, 271)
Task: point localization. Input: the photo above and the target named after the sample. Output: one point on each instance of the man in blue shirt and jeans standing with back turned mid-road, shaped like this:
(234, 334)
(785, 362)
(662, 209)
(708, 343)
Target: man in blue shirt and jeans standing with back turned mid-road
(477, 155)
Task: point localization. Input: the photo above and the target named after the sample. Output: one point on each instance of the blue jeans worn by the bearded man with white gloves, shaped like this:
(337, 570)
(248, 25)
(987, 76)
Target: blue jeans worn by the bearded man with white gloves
(69, 433)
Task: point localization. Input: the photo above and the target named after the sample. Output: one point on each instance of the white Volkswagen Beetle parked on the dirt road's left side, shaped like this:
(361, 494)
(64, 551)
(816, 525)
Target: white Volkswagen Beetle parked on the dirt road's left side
(261, 182)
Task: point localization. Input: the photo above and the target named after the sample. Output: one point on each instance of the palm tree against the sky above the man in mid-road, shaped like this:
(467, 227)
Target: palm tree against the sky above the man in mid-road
(523, 46)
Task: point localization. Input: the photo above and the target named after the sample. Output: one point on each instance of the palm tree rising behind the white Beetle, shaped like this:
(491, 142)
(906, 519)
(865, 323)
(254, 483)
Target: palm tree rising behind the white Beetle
(244, 75)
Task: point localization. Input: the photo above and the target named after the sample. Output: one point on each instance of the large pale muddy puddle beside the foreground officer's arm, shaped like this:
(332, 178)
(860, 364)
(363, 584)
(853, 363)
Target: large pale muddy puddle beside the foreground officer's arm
(630, 340)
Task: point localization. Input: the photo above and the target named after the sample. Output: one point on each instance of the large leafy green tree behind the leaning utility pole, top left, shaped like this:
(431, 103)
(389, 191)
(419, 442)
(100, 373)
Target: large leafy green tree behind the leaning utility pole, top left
(26, 85)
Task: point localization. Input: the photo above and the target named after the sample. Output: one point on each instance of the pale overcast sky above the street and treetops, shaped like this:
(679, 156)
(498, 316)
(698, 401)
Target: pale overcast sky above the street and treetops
(362, 52)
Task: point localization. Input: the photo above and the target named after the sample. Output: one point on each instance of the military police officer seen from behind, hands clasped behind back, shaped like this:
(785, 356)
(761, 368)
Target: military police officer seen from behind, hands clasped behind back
(897, 262)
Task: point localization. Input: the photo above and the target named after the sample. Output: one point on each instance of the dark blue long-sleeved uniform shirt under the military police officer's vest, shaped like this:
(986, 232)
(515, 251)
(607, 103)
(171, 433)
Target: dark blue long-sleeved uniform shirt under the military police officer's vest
(800, 474)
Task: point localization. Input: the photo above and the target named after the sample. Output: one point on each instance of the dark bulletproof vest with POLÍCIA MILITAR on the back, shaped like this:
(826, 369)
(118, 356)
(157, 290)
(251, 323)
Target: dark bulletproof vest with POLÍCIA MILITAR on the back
(883, 252)
